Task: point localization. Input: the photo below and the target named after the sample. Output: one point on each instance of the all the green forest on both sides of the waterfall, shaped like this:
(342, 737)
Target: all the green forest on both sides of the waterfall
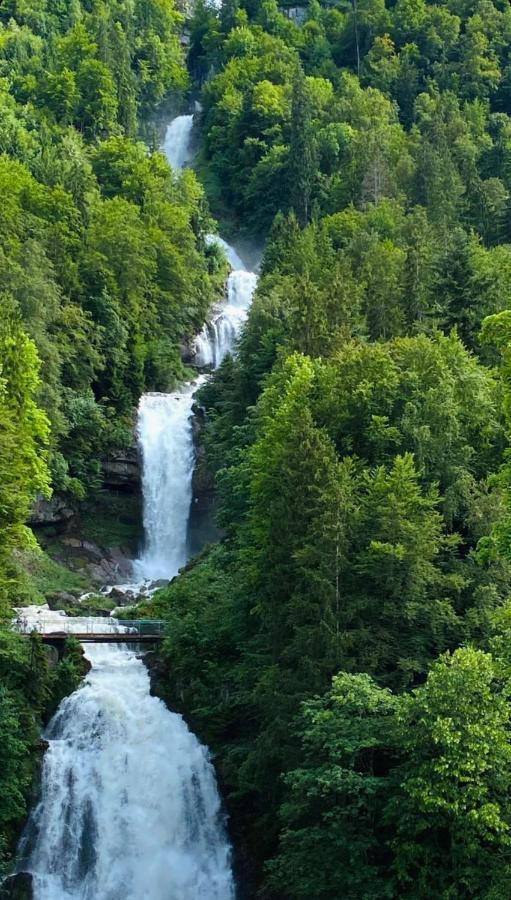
(344, 648)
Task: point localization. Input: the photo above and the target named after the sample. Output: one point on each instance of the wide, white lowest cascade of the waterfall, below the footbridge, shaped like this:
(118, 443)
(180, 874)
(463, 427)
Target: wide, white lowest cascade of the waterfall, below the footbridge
(129, 808)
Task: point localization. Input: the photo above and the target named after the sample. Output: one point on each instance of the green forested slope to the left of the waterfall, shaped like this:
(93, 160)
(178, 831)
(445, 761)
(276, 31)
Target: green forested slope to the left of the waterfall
(103, 273)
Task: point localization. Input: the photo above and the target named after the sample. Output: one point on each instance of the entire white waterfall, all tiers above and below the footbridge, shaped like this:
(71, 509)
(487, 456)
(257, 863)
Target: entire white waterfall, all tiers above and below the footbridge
(129, 808)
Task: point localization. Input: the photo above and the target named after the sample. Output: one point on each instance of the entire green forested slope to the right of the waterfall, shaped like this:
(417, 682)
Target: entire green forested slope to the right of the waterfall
(344, 650)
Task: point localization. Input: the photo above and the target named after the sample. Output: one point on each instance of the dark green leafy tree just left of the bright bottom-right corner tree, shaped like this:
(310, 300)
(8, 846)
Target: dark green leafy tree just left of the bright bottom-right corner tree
(334, 838)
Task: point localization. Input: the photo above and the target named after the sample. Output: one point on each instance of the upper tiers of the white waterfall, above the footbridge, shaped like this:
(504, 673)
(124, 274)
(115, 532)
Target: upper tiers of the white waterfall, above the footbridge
(165, 421)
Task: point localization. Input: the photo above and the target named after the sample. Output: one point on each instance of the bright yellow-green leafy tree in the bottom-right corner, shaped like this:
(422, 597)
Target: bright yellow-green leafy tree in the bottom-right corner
(452, 810)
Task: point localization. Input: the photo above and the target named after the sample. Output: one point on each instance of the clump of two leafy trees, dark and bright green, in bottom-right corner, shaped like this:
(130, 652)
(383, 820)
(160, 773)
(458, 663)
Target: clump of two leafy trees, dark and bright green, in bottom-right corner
(401, 796)
